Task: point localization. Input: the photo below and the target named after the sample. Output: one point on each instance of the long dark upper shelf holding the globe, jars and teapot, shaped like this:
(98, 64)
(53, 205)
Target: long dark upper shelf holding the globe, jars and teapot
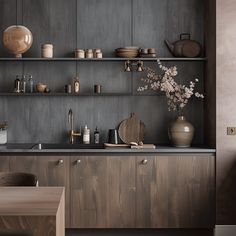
(104, 59)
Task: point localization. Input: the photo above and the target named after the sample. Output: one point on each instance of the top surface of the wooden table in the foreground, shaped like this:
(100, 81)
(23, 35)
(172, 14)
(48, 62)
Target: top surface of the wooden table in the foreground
(30, 201)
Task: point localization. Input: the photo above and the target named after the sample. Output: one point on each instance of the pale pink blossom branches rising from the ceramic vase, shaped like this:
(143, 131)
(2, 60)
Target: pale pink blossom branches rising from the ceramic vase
(177, 95)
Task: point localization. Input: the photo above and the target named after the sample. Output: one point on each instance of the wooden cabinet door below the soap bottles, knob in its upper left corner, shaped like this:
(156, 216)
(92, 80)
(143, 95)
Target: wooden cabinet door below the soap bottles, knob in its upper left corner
(102, 192)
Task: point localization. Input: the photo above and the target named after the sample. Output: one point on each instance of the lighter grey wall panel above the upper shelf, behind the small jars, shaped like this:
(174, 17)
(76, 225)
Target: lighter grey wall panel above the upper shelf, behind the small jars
(103, 24)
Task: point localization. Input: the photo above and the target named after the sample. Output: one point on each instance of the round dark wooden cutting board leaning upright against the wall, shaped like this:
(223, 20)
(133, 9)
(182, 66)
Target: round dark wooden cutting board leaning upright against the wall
(131, 130)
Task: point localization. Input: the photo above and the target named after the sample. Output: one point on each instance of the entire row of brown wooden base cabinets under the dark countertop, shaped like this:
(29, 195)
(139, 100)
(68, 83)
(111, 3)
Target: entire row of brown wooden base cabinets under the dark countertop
(143, 191)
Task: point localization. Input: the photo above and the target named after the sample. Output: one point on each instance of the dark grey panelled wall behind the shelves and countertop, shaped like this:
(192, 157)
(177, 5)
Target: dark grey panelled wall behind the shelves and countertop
(105, 24)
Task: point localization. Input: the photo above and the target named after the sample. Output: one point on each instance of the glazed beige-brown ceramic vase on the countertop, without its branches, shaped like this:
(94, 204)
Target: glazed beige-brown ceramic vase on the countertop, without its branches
(181, 132)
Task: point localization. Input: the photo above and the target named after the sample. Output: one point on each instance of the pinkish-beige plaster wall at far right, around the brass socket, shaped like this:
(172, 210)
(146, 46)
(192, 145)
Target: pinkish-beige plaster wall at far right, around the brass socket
(226, 110)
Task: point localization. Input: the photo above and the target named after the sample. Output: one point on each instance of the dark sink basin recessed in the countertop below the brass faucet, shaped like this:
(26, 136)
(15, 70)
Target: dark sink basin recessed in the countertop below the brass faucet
(43, 146)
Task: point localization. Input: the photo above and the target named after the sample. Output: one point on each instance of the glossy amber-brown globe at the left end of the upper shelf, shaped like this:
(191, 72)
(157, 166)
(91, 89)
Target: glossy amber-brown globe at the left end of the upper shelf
(17, 39)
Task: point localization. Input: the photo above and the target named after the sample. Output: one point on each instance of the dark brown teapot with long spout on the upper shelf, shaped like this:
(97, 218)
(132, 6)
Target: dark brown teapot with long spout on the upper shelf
(184, 47)
